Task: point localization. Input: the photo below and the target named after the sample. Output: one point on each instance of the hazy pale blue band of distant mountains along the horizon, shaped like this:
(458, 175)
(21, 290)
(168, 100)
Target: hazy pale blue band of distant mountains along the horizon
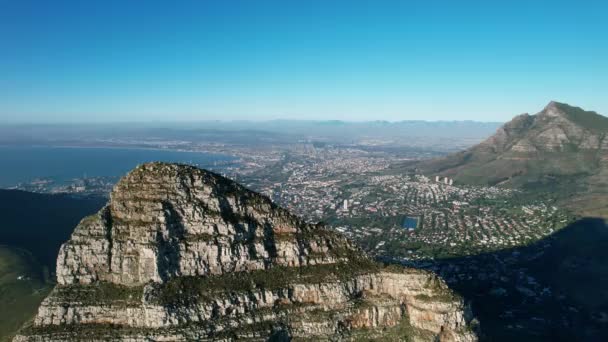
(457, 134)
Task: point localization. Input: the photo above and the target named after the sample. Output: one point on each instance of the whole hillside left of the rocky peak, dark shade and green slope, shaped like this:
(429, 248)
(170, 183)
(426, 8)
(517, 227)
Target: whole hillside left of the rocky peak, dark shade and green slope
(33, 228)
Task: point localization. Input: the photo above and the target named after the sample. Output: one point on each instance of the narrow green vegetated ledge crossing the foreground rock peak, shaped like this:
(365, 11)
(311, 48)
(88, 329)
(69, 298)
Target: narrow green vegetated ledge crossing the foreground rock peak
(192, 289)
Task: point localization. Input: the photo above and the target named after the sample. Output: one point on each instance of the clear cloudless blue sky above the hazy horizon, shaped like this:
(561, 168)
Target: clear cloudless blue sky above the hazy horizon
(83, 61)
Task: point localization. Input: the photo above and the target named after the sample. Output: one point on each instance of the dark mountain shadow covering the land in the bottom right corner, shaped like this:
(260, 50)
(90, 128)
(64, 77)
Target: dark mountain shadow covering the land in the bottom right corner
(553, 290)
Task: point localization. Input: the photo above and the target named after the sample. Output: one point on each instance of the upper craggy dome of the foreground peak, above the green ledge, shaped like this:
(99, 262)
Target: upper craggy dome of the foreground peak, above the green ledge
(169, 220)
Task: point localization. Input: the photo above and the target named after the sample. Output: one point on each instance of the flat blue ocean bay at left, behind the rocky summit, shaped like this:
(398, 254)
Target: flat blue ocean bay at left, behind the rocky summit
(24, 164)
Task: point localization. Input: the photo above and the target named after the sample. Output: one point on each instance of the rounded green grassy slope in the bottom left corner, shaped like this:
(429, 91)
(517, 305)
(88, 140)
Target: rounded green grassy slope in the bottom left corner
(19, 298)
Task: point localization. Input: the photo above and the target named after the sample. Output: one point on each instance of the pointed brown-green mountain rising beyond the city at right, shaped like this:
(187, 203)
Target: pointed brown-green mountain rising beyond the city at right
(563, 149)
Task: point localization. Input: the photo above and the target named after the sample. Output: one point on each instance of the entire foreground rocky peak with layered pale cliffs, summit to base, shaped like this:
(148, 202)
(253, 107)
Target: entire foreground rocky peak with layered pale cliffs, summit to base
(180, 253)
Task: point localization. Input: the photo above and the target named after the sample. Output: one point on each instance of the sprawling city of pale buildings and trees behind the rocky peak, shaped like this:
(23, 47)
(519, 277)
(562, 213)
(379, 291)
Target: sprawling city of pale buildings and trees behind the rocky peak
(361, 194)
